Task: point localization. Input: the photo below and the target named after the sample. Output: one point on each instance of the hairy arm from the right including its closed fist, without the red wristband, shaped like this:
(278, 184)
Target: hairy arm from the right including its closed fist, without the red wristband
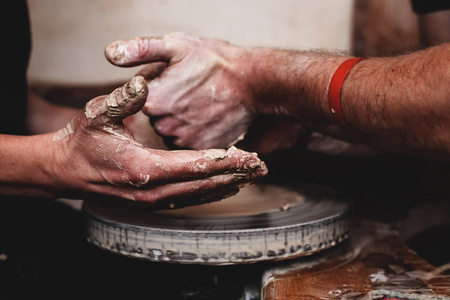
(210, 92)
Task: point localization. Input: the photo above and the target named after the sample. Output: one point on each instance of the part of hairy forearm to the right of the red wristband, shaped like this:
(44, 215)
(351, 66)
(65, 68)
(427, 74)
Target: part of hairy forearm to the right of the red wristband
(404, 103)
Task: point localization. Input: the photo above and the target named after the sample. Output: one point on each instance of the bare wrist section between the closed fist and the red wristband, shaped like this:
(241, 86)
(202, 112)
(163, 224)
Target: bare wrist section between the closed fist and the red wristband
(288, 82)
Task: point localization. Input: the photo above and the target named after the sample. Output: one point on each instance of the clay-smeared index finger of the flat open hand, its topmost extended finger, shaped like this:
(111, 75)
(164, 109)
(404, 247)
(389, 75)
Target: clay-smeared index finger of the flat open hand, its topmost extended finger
(185, 165)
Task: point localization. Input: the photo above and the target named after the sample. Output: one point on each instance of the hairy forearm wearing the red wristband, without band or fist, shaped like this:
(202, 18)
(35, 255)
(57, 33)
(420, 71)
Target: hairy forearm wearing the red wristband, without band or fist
(397, 104)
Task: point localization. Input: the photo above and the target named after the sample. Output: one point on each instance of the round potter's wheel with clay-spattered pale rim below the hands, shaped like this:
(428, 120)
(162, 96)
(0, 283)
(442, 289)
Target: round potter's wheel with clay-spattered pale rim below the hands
(262, 222)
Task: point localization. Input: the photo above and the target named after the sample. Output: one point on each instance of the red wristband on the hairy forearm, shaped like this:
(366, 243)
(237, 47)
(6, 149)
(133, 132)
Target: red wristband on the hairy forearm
(334, 91)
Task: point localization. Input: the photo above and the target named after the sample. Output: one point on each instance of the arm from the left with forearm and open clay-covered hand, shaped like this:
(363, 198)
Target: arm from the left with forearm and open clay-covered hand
(95, 156)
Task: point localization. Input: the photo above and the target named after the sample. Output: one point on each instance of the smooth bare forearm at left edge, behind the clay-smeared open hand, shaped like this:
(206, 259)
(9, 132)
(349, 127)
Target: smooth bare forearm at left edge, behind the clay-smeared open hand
(23, 162)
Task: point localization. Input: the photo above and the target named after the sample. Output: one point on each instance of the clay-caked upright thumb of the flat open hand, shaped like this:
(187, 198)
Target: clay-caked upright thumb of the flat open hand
(121, 103)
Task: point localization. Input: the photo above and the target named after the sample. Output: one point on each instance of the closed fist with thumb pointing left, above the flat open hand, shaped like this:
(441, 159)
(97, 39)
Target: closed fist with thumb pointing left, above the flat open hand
(198, 95)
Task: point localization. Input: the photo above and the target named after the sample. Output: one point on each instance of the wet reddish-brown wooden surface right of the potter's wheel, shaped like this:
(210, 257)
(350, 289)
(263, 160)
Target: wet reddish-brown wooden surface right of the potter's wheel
(375, 258)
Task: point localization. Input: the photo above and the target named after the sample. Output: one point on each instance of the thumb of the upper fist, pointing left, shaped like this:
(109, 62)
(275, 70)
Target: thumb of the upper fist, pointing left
(140, 50)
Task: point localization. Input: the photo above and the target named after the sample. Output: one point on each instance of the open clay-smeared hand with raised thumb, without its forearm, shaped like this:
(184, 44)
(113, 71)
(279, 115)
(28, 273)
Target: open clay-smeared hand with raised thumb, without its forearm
(101, 158)
